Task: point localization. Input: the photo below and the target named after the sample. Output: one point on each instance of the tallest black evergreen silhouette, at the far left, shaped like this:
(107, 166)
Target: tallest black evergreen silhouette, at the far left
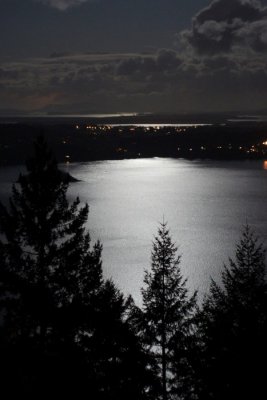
(48, 274)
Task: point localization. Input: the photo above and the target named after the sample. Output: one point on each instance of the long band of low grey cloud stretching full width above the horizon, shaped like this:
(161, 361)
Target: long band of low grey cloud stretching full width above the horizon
(165, 81)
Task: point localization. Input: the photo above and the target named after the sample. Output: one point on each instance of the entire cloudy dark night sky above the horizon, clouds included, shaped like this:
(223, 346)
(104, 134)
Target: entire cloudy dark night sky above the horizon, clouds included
(108, 56)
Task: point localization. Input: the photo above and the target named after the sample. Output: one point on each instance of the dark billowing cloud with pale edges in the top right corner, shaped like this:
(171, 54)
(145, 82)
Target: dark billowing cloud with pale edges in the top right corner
(226, 25)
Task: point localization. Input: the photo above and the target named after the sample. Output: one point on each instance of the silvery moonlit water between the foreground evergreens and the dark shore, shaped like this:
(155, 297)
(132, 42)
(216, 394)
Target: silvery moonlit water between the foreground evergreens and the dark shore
(205, 203)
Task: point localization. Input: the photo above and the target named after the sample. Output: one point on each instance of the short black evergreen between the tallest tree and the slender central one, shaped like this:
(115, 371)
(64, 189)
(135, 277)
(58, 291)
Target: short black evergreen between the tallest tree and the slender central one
(115, 350)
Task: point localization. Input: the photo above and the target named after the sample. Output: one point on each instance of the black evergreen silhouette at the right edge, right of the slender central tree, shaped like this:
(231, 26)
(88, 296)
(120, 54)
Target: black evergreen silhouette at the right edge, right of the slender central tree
(234, 327)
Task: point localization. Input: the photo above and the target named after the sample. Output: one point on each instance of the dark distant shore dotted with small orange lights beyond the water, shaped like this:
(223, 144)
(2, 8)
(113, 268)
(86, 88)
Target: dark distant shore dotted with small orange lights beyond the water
(81, 141)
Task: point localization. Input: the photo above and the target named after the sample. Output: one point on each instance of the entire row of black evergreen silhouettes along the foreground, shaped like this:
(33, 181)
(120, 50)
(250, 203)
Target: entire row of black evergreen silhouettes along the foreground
(67, 331)
